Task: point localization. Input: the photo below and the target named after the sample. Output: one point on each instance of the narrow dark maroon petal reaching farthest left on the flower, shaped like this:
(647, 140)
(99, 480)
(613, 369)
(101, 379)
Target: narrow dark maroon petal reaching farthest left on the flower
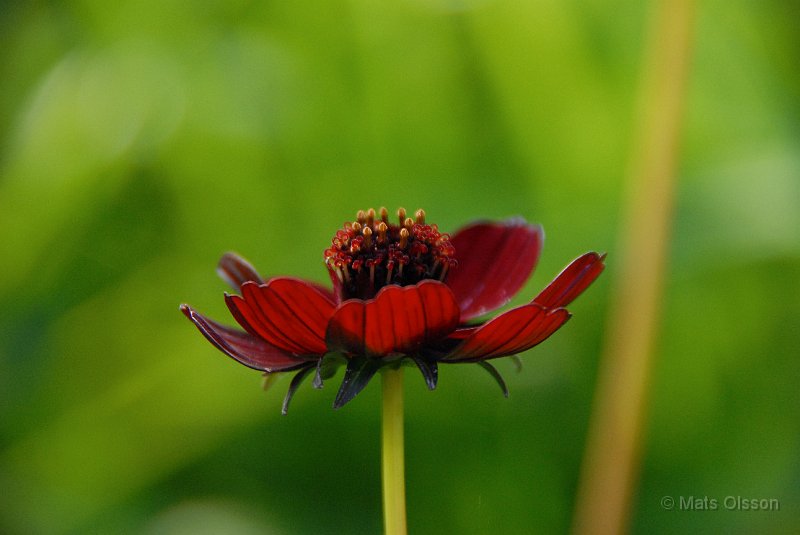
(245, 348)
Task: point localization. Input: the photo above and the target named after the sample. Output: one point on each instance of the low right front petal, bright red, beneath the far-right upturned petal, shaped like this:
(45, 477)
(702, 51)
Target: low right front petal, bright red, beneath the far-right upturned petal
(510, 333)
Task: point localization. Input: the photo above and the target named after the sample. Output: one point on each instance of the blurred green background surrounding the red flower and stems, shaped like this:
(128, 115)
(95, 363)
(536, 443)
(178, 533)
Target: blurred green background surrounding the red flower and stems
(140, 141)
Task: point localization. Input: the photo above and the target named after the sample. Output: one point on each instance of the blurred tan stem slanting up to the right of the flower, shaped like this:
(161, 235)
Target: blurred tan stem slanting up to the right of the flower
(611, 463)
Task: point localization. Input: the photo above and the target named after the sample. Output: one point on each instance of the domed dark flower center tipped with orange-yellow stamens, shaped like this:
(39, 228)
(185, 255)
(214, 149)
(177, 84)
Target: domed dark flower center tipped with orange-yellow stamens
(370, 252)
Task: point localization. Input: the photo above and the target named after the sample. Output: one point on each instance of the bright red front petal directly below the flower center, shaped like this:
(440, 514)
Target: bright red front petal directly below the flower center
(399, 320)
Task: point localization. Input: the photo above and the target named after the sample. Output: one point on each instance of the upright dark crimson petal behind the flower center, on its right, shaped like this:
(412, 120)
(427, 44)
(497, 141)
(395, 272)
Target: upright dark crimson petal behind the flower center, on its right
(494, 261)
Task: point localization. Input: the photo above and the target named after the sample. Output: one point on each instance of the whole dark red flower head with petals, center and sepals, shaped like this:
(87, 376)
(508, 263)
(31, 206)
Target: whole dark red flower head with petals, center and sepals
(401, 292)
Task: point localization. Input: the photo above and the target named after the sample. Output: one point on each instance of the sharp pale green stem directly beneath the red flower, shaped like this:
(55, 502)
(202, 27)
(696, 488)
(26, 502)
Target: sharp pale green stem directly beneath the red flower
(394, 486)
